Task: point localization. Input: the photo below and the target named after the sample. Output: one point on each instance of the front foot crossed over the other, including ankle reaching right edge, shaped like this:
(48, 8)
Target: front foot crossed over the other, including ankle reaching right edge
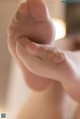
(50, 62)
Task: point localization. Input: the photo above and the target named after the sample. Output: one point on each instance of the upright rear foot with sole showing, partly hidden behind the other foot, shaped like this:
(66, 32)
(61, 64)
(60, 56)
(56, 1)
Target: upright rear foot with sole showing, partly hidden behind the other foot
(32, 21)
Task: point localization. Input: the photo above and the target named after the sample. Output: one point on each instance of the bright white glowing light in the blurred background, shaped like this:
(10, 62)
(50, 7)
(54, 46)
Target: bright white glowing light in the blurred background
(60, 27)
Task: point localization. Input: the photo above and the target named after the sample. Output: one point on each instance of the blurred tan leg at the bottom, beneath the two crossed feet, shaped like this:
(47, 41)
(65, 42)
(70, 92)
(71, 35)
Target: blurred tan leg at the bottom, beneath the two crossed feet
(48, 104)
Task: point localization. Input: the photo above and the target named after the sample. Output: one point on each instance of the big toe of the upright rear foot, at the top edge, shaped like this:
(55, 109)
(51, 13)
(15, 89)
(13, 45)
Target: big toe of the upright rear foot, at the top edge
(38, 10)
